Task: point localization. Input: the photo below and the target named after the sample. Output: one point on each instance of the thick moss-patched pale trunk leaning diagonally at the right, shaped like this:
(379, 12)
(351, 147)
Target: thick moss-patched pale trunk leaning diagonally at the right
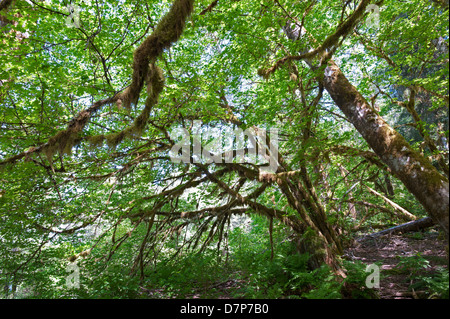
(416, 172)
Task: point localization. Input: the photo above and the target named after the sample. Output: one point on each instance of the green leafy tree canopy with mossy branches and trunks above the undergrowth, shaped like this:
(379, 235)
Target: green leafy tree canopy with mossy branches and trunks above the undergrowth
(348, 99)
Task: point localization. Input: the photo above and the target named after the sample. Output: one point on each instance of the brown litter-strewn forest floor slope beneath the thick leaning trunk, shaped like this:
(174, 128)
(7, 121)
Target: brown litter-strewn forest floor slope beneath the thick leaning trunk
(408, 263)
